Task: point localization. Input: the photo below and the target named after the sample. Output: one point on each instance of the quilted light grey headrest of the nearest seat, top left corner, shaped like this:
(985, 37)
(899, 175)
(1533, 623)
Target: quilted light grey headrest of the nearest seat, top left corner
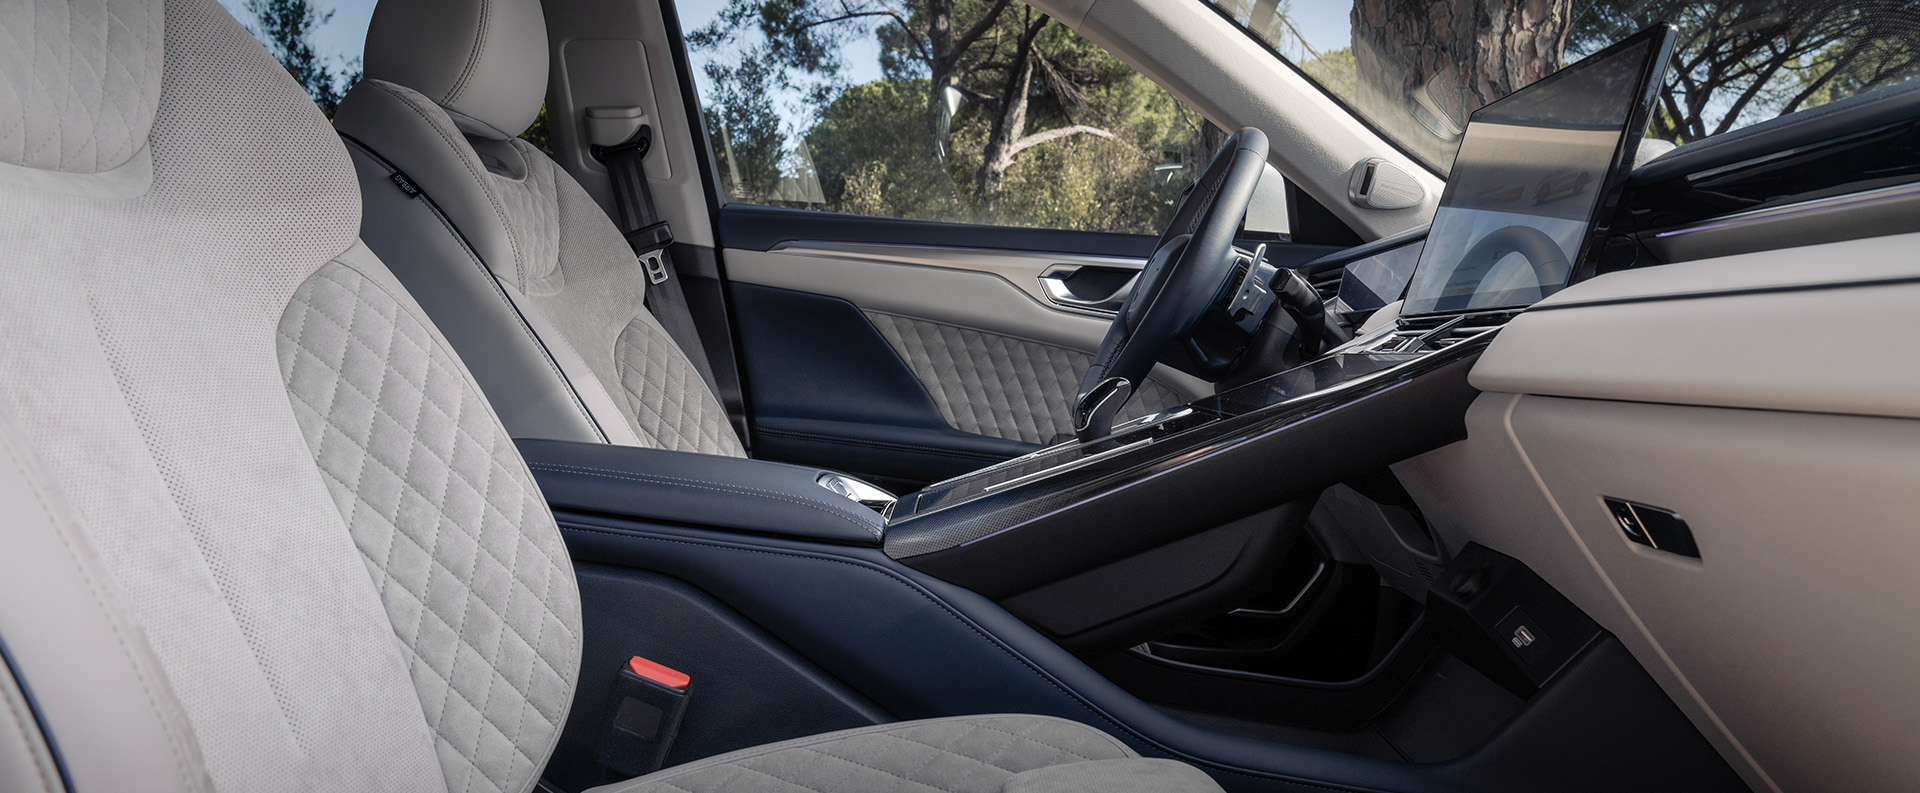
(80, 82)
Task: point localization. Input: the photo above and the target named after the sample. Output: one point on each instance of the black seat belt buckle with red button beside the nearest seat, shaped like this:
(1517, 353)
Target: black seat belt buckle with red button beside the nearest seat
(642, 717)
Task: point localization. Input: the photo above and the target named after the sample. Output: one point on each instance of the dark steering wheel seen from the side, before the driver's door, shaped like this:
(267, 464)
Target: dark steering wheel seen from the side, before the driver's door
(1189, 270)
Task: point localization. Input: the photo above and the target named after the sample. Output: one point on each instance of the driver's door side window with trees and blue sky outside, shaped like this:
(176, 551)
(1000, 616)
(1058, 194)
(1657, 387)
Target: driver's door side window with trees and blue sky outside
(967, 112)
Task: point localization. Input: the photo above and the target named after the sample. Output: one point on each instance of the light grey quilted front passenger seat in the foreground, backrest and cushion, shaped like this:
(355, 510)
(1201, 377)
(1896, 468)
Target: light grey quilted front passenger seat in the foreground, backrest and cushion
(260, 527)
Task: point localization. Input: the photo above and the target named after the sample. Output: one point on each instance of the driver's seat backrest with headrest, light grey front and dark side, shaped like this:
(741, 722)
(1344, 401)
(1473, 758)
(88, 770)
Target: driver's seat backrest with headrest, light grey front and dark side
(517, 264)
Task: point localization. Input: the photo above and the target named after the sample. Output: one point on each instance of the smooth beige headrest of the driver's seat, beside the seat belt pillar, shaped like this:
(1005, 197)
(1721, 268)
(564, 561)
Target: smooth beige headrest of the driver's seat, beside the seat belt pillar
(483, 60)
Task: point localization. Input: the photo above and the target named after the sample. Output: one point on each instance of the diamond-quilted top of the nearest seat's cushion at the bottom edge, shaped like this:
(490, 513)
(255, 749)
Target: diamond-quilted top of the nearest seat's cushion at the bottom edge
(946, 756)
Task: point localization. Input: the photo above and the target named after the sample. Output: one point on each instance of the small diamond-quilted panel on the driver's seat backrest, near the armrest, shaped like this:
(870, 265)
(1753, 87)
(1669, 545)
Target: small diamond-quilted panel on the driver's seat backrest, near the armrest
(669, 402)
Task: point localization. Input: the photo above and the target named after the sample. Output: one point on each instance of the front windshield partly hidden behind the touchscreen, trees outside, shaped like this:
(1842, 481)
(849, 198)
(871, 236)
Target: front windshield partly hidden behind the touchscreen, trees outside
(1416, 72)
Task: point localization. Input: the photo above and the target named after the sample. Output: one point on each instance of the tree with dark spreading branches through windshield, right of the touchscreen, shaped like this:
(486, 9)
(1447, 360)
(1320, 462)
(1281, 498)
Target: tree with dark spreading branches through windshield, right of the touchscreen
(1748, 60)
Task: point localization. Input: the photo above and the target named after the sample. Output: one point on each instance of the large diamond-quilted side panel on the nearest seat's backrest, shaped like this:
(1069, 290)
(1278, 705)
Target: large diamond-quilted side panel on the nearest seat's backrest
(452, 529)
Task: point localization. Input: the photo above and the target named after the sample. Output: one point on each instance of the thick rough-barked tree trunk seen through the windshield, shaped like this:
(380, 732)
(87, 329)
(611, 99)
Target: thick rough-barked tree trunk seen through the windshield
(1428, 64)
